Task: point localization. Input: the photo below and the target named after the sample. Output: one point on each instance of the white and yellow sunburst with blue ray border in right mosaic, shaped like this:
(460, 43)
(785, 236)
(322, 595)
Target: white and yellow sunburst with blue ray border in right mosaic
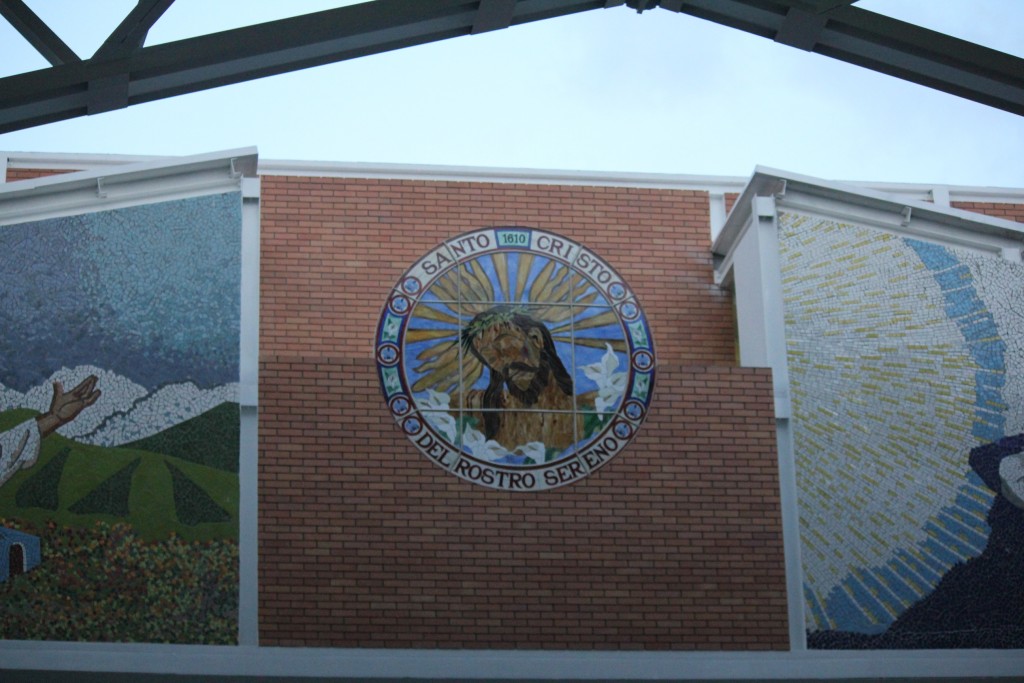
(924, 364)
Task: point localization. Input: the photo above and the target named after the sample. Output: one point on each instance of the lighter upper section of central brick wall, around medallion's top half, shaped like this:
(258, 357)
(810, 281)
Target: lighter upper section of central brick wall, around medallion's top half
(332, 249)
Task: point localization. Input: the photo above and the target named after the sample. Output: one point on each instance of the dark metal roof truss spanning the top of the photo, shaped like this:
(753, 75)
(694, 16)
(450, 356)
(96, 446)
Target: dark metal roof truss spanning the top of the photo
(124, 72)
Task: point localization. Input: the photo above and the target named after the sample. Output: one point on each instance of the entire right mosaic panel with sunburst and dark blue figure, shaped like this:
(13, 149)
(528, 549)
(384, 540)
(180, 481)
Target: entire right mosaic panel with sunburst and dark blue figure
(907, 367)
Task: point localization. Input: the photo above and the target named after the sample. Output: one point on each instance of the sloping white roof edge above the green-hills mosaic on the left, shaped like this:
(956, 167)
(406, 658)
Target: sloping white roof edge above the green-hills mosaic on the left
(126, 185)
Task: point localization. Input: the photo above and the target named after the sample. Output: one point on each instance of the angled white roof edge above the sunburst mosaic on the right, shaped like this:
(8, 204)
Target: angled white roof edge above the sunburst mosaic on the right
(869, 207)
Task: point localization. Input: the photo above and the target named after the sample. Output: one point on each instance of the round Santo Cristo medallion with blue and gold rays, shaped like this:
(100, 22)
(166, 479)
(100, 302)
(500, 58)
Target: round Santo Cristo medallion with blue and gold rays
(516, 359)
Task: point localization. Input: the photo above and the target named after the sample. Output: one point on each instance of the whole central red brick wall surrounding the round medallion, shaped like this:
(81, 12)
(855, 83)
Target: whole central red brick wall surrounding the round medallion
(364, 543)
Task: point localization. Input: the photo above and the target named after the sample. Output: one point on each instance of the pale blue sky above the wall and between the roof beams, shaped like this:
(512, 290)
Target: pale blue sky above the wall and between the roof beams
(608, 91)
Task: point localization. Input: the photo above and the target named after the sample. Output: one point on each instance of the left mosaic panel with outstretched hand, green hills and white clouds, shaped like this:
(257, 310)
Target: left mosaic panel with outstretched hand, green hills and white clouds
(119, 424)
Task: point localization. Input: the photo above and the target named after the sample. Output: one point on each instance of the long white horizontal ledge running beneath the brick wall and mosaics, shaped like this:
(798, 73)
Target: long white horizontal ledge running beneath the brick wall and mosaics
(505, 665)
